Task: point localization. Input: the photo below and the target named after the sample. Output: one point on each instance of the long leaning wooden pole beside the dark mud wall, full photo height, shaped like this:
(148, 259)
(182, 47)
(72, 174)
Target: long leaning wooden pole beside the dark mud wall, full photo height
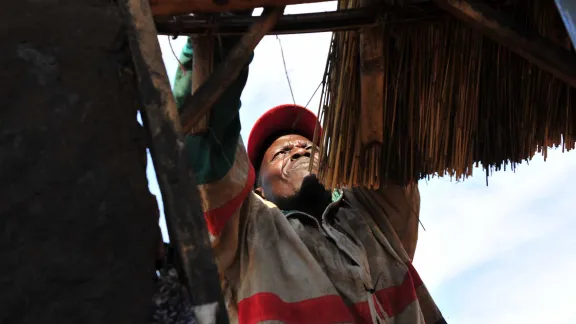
(182, 202)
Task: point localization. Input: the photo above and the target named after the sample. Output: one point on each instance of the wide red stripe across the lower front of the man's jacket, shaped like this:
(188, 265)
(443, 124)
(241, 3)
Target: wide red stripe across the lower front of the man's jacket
(326, 309)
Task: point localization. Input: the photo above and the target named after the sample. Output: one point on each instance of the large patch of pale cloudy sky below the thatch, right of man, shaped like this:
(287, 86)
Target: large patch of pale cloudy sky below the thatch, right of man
(502, 253)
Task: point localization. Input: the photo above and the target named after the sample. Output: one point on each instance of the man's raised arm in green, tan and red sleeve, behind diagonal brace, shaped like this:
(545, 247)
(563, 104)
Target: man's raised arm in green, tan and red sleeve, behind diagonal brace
(218, 158)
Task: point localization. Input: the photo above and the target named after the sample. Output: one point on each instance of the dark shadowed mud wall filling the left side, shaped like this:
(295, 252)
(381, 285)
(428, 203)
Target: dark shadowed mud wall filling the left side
(77, 221)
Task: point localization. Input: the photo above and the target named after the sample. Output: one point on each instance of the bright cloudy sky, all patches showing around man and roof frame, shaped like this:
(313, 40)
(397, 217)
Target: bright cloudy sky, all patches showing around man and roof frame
(499, 254)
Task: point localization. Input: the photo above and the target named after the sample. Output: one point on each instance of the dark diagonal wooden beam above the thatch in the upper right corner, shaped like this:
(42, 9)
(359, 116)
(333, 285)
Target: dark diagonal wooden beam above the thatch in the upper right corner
(529, 45)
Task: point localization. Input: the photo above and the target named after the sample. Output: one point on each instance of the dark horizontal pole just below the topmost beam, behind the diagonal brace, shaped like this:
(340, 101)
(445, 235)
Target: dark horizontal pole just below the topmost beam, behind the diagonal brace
(296, 24)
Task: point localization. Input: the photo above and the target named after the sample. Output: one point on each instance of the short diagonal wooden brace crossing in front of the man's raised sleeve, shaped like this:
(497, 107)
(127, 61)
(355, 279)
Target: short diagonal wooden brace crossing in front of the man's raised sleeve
(201, 102)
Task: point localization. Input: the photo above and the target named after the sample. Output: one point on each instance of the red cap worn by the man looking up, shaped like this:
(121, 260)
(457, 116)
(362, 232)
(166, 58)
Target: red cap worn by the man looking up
(281, 118)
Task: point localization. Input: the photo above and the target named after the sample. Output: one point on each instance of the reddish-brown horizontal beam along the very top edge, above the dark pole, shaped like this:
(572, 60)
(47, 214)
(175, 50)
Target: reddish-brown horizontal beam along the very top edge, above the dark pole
(182, 7)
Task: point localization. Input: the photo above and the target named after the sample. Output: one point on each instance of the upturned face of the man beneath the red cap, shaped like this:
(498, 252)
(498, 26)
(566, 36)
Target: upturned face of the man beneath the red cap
(284, 166)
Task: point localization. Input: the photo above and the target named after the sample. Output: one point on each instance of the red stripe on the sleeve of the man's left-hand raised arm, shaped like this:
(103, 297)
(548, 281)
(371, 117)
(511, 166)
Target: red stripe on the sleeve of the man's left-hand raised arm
(217, 218)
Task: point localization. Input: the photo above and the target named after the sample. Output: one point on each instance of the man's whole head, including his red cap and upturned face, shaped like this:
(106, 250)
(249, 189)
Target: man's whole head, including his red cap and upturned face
(280, 147)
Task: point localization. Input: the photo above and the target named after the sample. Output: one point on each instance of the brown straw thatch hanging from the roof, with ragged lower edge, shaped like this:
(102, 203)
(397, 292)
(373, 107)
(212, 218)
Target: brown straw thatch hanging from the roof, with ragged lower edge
(451, 98)
